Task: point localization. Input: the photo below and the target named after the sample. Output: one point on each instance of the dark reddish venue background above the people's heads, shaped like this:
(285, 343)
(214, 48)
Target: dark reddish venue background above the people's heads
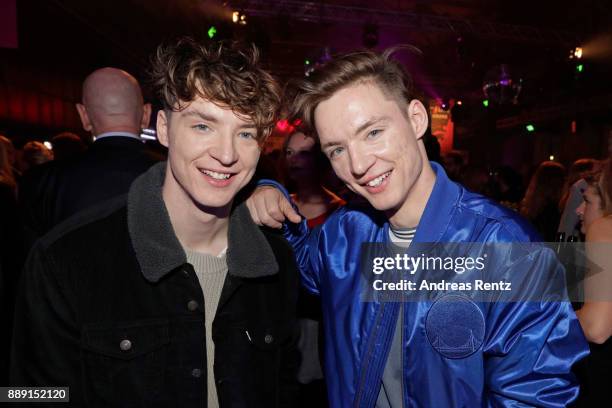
(60, 42)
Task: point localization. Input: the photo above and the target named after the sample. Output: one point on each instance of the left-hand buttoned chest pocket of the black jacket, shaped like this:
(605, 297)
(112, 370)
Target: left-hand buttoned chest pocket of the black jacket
(126, 361)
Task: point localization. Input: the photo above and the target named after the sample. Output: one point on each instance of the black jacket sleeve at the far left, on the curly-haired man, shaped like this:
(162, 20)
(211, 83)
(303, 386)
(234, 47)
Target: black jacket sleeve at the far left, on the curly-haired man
(46, 345)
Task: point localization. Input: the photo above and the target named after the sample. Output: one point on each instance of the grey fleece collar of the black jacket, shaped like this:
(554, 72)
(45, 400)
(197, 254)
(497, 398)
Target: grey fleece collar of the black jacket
(159, 251)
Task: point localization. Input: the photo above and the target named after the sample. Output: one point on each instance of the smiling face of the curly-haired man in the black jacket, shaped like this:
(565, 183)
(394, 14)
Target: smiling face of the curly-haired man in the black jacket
(212, 153)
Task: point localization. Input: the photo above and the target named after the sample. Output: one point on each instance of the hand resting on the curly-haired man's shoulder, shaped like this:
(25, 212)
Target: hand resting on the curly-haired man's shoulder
(270, 208)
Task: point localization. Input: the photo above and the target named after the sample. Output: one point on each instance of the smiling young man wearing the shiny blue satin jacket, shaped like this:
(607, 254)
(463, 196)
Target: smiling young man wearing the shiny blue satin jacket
(447, 348)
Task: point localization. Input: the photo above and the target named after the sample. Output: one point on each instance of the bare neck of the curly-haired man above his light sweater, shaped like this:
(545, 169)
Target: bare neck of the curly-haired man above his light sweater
(202, 229)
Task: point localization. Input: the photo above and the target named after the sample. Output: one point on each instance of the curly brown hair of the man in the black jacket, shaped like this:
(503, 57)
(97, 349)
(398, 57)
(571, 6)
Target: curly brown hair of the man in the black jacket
(226, 74)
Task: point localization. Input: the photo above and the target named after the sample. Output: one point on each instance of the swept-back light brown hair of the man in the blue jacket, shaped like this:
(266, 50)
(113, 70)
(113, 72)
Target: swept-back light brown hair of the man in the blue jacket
(345, 70)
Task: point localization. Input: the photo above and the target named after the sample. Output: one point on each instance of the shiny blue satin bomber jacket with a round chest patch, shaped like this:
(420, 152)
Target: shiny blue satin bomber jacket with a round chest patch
(527, 348)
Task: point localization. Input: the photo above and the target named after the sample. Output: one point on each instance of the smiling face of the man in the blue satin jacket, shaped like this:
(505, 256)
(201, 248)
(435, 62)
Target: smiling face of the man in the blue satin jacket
(371, 142)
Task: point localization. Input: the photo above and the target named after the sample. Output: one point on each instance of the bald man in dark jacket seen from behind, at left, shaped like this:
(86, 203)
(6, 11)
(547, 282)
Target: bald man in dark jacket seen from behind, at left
(114, 112)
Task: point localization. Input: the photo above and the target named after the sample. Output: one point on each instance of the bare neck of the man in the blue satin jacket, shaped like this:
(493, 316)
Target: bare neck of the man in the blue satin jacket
(409, 214)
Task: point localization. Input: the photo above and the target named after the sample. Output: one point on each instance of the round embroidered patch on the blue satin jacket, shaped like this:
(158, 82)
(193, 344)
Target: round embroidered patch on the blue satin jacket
(455, 326)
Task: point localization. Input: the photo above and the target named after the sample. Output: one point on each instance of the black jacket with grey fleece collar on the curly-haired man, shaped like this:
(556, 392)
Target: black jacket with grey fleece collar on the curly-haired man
(109, 307)
